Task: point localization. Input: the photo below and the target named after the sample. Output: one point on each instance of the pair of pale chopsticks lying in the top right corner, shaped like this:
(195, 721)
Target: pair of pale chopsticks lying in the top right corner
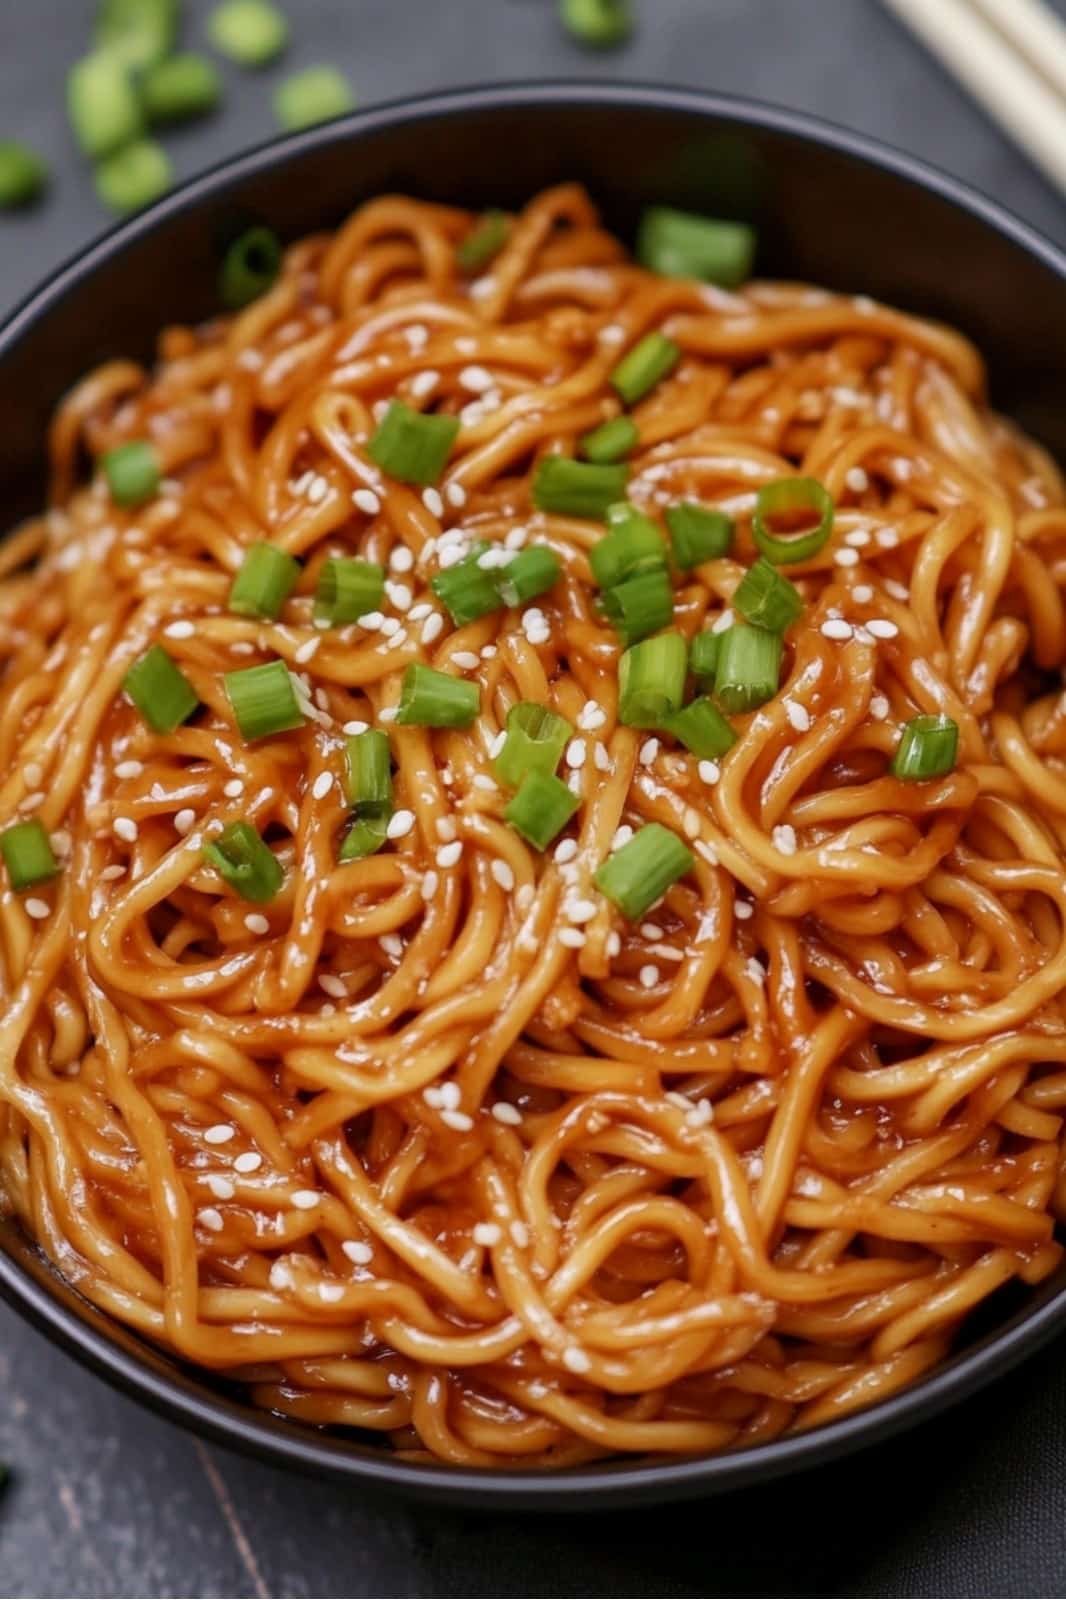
(1011, 55)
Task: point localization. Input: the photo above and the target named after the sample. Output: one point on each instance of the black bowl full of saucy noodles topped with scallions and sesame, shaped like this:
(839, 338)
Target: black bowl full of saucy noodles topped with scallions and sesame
(535, 794)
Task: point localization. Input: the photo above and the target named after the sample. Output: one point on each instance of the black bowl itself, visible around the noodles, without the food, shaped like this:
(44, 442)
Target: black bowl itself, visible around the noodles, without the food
(832, 209)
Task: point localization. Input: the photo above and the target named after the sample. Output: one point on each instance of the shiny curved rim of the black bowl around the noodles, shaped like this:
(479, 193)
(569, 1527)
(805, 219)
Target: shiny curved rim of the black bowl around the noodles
(177, 1396)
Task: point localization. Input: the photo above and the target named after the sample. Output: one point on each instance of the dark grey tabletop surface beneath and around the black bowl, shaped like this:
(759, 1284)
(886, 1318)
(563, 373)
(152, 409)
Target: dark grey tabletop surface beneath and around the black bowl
(105, 1498)
